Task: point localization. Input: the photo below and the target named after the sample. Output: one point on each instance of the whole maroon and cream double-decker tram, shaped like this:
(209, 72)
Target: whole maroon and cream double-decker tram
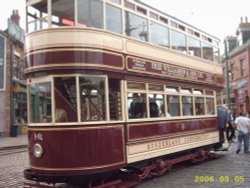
(116, 84)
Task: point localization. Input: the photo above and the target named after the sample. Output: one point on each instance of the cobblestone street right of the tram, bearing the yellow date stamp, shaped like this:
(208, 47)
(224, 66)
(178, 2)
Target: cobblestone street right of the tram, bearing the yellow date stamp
(230, 171)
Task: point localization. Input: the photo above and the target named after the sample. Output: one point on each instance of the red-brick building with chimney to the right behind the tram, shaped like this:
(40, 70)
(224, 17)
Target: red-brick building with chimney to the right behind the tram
(239, 67)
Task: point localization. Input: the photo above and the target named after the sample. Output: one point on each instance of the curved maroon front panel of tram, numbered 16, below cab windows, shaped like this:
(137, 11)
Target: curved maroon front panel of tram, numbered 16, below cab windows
(79, 150)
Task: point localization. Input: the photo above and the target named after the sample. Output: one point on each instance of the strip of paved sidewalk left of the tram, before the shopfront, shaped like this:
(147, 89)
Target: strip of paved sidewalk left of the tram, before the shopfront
(20, 141)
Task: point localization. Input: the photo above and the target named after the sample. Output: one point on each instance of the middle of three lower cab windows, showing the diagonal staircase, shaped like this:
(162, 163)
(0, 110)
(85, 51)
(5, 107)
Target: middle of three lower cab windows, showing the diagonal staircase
(65, 99)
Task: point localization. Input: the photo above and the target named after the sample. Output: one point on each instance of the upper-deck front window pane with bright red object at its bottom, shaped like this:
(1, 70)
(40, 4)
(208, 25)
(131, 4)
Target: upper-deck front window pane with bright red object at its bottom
(64, 11)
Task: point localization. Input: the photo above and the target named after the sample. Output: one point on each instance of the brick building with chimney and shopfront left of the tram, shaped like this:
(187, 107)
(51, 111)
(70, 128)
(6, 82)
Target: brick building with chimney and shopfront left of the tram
(13, 110)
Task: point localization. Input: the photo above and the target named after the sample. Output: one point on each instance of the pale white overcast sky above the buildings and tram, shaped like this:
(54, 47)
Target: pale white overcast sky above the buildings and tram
(219, 18)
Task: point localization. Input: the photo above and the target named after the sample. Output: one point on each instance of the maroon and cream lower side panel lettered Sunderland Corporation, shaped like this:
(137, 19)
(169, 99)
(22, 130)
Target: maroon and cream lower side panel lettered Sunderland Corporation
(150, 140)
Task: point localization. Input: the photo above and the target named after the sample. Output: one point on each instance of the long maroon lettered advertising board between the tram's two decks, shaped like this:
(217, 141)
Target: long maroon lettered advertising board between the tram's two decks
(168, 70)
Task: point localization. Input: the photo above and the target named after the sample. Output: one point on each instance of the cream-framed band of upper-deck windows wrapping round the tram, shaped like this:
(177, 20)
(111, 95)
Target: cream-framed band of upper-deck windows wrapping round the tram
(125, 17)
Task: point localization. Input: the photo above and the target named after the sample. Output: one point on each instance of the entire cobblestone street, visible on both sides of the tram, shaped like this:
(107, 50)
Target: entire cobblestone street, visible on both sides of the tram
(230, 171)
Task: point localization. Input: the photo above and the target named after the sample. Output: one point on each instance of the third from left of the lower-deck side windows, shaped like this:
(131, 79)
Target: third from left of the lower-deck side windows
(173, 104)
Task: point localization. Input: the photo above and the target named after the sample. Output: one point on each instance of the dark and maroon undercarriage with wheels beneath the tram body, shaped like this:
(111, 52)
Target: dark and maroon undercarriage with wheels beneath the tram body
(124, 178)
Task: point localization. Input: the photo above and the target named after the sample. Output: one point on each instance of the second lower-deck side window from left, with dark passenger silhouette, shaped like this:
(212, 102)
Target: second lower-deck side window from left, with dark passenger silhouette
(156, 105)
